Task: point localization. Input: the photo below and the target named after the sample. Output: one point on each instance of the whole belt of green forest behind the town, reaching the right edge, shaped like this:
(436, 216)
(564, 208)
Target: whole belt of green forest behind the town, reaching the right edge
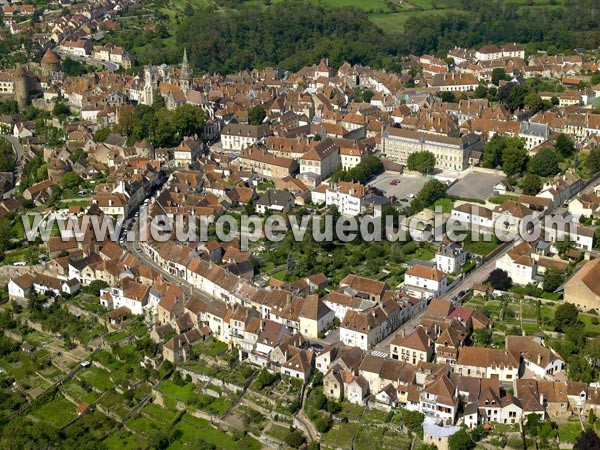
(236, 36)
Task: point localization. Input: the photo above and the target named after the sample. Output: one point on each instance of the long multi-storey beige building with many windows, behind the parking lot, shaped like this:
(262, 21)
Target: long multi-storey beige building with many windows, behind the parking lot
(451, 153)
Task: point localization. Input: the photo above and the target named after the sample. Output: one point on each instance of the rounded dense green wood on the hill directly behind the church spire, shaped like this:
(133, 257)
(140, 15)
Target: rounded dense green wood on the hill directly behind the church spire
(290, 34)
